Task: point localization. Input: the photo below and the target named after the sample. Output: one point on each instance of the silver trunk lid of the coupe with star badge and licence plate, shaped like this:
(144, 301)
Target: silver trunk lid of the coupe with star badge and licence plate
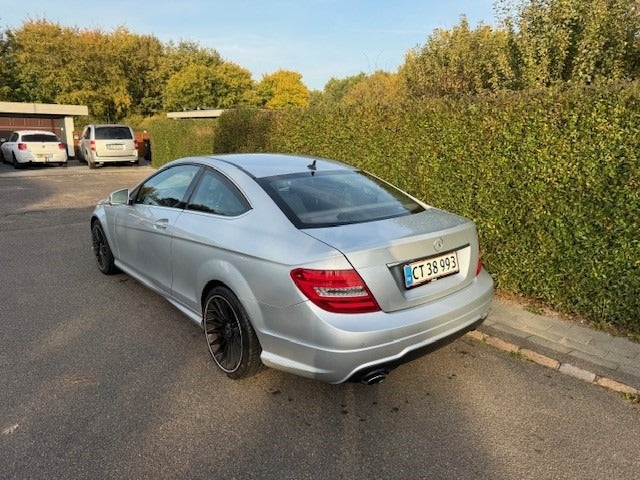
(410, 260)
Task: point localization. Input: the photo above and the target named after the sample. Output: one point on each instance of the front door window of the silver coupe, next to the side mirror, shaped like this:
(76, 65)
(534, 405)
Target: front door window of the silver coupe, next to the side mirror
(168, 188)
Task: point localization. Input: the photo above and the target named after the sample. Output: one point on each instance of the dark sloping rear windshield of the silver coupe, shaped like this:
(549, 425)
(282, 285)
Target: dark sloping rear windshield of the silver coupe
(321, 199)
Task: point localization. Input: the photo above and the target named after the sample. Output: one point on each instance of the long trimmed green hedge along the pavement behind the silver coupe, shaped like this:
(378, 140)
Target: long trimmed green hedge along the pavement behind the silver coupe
(550, 177)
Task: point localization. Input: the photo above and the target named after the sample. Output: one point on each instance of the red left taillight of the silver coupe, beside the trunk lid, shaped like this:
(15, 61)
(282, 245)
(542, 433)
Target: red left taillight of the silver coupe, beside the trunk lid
(338, 291)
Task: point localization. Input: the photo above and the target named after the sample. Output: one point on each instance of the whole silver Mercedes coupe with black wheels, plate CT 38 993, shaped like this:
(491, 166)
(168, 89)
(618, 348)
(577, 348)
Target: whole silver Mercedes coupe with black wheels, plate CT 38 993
(302, 264)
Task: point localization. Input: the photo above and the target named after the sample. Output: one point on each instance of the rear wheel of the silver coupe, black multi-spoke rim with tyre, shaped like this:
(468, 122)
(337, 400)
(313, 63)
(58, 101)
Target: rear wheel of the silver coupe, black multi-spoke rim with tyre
(231, 340)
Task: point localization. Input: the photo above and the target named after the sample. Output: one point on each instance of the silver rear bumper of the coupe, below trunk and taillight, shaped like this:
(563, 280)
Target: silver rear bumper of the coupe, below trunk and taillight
(337, 348)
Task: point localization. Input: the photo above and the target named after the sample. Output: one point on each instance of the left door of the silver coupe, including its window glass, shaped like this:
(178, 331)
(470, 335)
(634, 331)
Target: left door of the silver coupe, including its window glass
(144, 230)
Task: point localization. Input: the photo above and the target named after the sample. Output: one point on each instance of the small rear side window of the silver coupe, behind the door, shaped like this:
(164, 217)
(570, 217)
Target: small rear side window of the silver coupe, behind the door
(215, 194)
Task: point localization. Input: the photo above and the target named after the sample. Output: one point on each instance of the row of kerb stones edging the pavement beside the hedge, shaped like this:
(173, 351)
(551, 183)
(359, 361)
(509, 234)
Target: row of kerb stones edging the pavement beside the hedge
(545, 361)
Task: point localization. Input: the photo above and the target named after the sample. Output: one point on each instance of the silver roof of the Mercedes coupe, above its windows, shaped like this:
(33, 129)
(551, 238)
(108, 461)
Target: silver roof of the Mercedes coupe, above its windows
(260, 165)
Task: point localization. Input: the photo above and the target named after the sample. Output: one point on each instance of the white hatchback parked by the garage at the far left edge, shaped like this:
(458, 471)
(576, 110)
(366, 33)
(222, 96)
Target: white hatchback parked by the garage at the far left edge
(26, 147)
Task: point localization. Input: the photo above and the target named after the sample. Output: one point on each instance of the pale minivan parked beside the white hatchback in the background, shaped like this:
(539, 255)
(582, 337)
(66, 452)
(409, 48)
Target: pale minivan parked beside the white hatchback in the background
(100, 144)
